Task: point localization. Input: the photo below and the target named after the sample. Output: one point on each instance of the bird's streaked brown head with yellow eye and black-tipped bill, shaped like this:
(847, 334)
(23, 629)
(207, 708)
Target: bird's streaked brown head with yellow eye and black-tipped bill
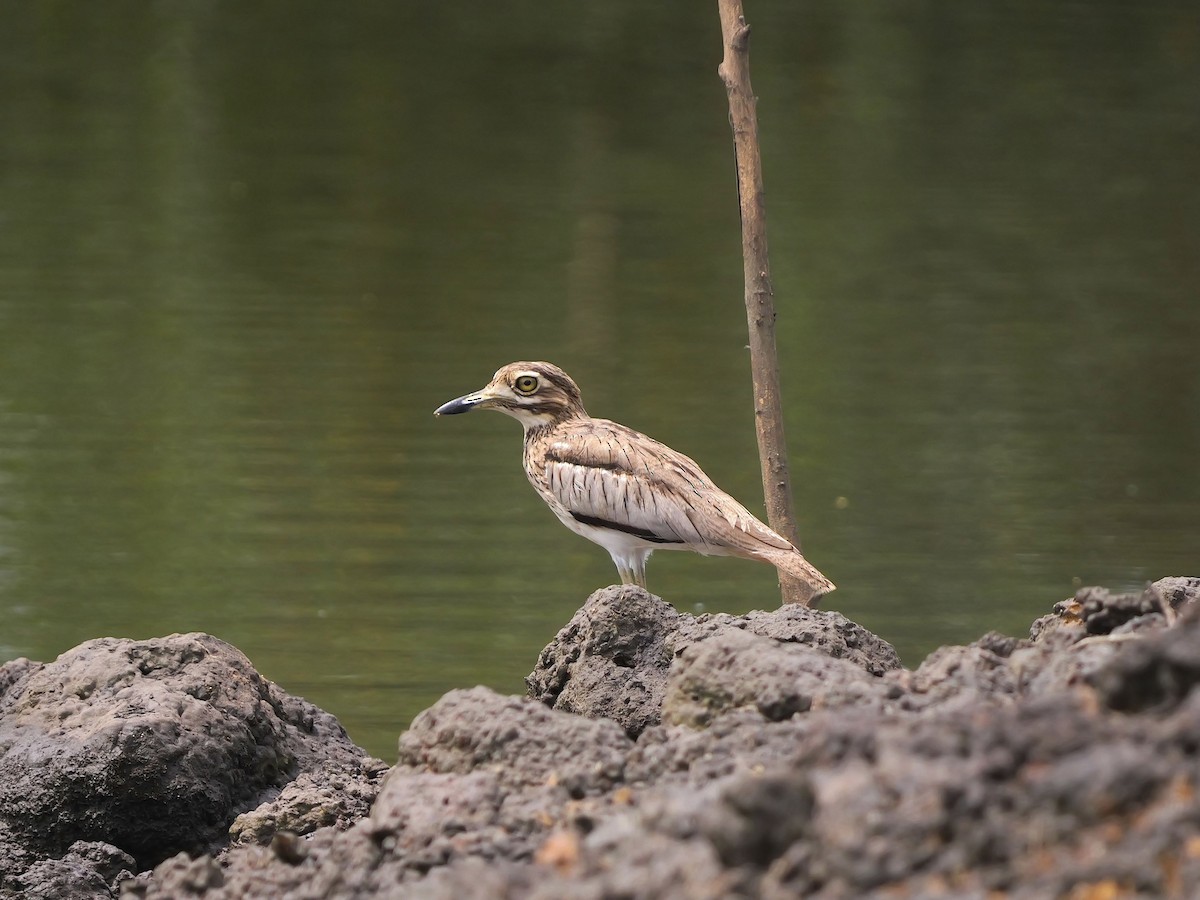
(532, 393)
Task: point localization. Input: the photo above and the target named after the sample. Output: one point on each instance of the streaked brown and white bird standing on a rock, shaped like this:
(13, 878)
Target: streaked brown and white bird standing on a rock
(621, 489)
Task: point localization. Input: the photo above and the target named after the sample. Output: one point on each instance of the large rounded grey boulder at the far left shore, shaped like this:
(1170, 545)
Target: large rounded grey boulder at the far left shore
(152, 747)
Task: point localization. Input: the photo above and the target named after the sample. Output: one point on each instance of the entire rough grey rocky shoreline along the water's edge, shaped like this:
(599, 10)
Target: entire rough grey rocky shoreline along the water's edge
(658, 755)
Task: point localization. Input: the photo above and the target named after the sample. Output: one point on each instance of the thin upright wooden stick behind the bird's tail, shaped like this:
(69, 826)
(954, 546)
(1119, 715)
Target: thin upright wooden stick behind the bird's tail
(735, 71)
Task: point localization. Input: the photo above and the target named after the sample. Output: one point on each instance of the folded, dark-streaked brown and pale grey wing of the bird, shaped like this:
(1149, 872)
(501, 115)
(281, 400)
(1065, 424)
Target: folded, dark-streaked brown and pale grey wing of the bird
(609, 476)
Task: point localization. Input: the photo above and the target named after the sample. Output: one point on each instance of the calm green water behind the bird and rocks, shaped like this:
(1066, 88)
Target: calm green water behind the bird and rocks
(247, 250)
